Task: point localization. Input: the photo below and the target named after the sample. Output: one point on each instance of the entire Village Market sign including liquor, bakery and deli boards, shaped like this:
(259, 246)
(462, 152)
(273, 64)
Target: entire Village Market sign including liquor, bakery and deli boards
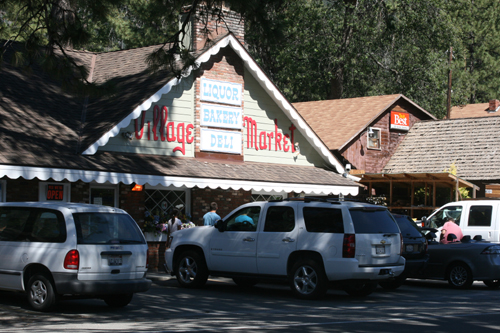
(215, 119)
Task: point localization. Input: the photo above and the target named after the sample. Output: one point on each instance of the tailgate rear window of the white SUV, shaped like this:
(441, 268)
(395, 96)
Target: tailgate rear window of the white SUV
(373, 221)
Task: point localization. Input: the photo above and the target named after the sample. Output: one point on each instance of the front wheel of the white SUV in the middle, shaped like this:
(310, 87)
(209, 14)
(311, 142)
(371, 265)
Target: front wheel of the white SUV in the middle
(191, 270)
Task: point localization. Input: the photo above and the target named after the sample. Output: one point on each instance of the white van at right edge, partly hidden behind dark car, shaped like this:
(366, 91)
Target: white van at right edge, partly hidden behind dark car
(476, 217)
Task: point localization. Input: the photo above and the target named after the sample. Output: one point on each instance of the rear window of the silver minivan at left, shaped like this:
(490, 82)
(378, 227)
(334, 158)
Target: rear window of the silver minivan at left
(107, 228)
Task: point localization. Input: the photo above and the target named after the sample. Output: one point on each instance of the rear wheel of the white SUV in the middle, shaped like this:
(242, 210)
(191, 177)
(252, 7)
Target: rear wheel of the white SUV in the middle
(309, 280)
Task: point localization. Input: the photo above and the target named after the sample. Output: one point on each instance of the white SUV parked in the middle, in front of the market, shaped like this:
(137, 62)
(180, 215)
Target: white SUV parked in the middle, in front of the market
(311, 243)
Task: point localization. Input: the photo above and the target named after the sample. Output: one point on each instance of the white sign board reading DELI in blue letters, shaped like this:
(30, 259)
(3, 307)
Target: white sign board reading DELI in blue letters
(220, 141)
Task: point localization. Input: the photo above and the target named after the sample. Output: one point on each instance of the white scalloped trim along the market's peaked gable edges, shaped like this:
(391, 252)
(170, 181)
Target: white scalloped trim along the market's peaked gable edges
(270, 88)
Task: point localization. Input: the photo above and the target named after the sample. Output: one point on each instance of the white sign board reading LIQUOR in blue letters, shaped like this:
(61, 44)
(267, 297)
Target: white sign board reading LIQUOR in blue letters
(221, 92)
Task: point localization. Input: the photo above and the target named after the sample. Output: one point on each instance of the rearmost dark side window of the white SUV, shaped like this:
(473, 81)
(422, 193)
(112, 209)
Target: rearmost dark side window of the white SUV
(323, 220)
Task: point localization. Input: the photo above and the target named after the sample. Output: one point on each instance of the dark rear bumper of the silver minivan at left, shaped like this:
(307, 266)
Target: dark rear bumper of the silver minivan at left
(69, 284)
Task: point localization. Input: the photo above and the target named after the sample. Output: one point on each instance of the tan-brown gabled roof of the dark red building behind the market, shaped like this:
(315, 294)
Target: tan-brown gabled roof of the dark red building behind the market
(338, 121)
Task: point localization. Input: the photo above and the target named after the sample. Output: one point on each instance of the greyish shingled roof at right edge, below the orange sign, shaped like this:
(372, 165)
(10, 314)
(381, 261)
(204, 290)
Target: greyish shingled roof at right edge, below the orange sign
(472, 145)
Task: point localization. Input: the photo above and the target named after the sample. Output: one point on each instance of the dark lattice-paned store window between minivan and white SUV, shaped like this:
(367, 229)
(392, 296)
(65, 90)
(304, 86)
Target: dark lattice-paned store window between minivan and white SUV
(161, 199)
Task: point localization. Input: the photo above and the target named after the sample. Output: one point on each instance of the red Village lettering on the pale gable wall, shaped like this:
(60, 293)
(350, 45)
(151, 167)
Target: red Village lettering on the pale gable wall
(163, 130)
